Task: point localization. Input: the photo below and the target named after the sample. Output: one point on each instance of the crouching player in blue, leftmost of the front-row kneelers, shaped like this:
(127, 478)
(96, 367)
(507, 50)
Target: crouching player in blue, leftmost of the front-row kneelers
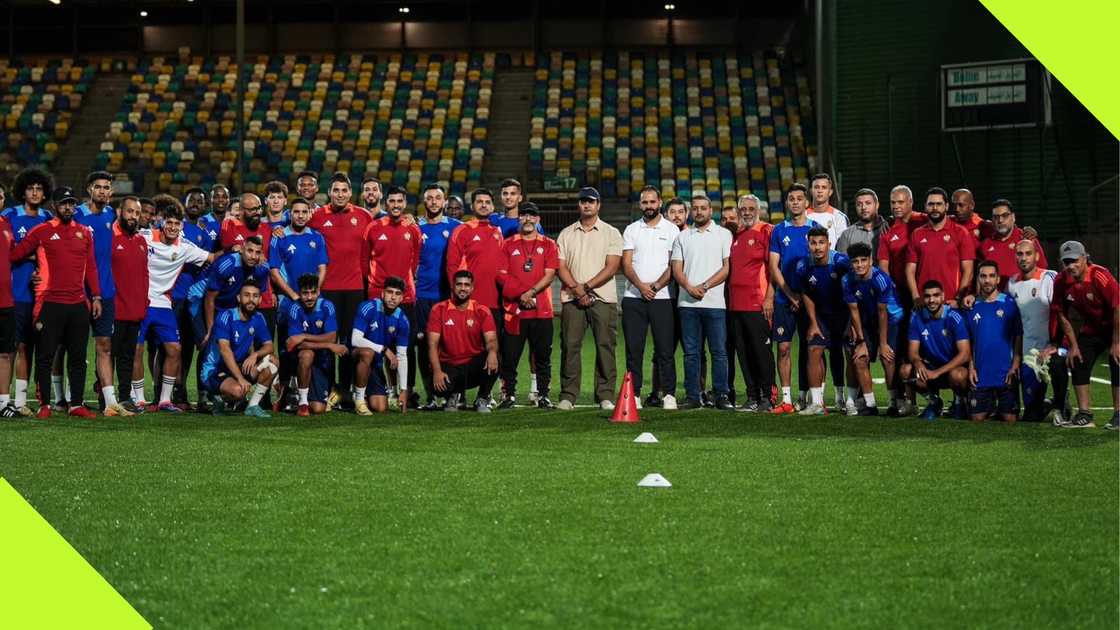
(240, 351)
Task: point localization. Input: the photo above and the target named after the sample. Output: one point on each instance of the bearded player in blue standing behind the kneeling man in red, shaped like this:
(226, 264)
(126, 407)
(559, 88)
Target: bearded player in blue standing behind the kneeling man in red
(436, 230)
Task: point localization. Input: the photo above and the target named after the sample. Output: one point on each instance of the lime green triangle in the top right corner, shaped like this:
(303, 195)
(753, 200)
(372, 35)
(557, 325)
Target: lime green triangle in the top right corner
(1076, 42)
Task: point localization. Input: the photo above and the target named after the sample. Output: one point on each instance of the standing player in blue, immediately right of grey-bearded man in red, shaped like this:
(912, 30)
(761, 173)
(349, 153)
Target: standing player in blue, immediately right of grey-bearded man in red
(790, 244)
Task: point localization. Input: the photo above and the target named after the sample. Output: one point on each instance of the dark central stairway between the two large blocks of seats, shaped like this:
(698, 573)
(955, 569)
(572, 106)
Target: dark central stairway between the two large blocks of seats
(509, 127)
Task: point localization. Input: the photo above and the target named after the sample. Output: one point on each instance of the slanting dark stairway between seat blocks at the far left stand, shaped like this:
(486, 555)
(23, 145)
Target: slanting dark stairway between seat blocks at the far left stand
(78, 155)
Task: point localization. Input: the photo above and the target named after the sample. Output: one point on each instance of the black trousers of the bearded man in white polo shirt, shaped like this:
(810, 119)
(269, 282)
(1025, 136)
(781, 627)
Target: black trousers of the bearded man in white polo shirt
(656, 317)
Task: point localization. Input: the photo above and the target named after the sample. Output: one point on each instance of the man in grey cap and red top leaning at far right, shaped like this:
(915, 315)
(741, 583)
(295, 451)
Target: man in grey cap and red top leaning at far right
(1093, 293)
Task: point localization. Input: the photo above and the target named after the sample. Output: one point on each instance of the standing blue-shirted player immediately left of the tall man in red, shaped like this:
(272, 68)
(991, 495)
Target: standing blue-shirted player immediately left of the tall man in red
(297, 252)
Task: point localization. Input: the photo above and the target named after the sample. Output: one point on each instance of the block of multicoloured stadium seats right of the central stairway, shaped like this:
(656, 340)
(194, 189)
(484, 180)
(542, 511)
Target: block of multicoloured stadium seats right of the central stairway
(685, 122)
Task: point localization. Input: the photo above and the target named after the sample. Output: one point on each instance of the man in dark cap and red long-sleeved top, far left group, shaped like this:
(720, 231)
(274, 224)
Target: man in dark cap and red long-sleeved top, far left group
(67, 268)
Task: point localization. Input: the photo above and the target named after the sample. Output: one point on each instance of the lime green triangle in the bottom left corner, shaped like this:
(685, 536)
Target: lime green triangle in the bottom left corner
(46, 583)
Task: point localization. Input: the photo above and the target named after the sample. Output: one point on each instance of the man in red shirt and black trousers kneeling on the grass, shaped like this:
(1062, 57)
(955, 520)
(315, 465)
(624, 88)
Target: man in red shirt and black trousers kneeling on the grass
(463, 346)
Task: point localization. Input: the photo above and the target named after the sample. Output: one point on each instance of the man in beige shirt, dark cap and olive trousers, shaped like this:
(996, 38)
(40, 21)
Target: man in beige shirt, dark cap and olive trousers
(591, 253)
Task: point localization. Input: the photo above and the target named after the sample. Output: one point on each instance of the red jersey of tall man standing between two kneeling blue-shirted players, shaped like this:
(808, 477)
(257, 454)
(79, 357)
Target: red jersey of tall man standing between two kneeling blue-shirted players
(344, 233)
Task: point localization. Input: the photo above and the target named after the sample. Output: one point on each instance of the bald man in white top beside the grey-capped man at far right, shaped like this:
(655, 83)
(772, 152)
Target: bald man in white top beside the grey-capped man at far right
(1033, 289)
